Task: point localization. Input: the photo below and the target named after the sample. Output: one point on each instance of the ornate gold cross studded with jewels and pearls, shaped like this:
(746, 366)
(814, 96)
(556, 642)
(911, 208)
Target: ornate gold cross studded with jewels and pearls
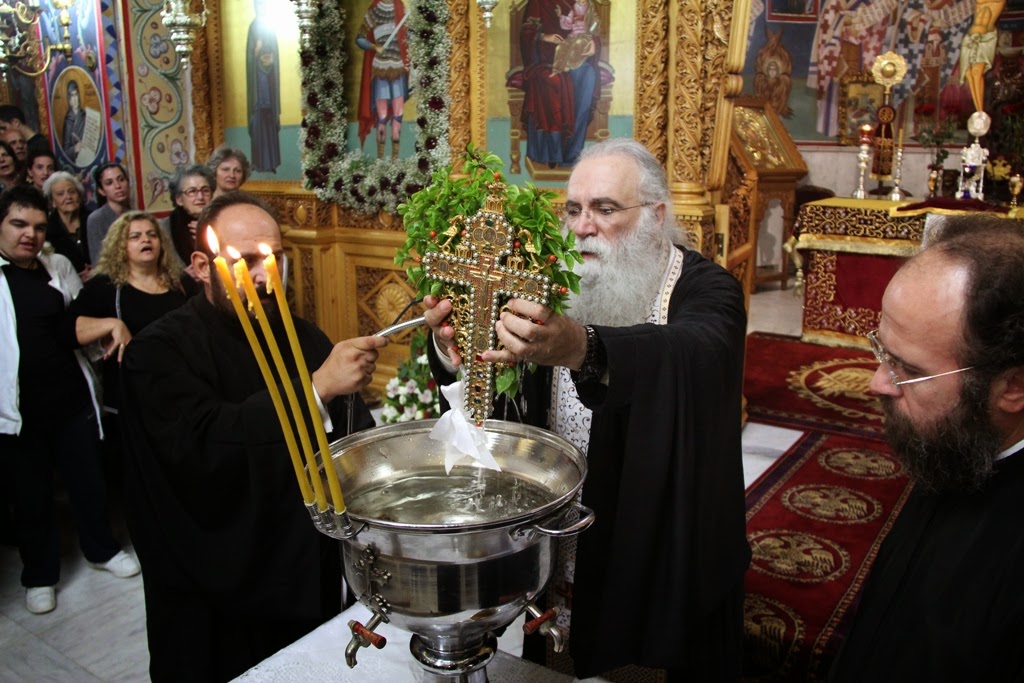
(478, 263)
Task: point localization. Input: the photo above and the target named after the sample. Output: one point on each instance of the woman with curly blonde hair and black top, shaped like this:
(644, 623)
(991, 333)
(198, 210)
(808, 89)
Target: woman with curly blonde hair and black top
(137, 281)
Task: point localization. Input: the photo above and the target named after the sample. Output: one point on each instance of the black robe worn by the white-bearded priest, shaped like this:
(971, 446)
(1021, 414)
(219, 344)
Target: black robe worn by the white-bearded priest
(660, 575)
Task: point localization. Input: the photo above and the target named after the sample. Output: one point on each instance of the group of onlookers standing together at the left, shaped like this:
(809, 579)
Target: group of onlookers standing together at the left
(77, 282)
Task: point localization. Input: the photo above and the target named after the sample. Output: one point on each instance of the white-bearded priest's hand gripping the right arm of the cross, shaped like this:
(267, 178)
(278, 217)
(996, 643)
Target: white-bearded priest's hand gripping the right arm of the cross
(534, 333)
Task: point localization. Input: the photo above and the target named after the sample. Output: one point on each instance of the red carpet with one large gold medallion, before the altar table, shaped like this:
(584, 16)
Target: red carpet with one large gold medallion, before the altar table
(810, 388)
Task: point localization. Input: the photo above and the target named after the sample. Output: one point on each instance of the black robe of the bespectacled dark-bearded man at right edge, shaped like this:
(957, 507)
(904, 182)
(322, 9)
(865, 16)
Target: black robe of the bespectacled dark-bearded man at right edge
(945, 601)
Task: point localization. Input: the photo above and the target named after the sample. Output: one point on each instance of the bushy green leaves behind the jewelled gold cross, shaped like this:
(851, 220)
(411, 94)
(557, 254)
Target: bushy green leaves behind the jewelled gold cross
(438, 219)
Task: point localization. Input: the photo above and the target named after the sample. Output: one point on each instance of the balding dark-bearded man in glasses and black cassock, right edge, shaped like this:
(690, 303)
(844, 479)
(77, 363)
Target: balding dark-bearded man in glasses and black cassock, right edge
(944, 602)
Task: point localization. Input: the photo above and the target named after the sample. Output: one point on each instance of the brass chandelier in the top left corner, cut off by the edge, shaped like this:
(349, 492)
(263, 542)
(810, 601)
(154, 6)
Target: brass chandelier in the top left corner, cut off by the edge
(20, 48)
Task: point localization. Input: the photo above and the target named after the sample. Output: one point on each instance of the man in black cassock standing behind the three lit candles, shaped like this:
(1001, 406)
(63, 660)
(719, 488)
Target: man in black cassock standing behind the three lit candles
(233, 568)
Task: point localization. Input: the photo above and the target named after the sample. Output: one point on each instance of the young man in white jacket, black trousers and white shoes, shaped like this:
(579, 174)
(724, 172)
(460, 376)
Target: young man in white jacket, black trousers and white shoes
(50, 412)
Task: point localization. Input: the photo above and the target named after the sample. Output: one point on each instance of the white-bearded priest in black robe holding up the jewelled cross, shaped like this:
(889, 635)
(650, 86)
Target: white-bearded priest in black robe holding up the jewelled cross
(645, 375)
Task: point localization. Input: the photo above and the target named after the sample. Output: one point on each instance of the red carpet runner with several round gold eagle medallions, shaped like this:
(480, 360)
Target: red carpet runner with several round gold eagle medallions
(816, 522)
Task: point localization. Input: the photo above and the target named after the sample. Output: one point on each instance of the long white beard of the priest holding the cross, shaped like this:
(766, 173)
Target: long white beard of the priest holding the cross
(617, 289)
